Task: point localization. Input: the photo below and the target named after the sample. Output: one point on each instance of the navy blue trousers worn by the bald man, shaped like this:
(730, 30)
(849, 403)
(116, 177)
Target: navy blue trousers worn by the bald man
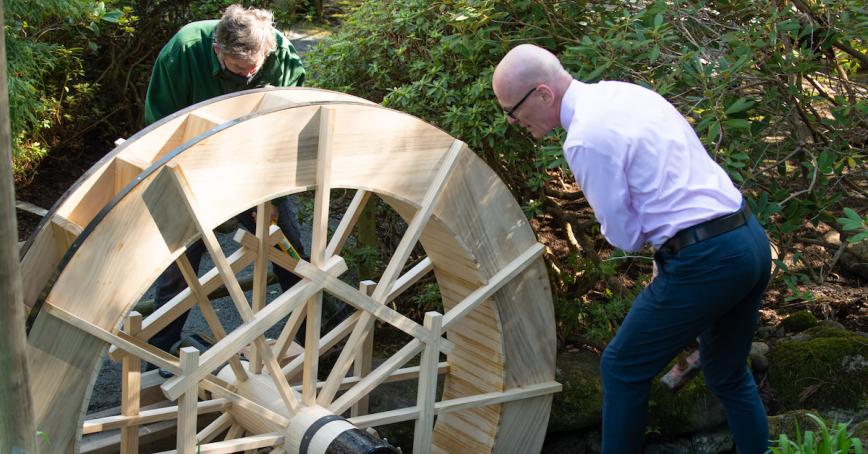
(711, 290)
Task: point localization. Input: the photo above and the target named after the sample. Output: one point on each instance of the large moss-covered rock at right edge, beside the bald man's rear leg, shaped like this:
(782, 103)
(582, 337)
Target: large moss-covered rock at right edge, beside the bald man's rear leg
(823, 367)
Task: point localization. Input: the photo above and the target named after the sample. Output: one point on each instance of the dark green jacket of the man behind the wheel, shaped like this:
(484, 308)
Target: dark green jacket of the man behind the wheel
(187, 71)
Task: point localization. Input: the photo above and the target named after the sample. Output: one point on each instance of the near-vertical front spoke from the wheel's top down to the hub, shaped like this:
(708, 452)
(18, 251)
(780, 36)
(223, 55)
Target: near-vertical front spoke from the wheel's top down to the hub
(317, 253)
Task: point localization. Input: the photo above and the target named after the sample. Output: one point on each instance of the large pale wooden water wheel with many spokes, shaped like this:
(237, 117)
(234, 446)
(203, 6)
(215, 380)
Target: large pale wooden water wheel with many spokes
(134, 212)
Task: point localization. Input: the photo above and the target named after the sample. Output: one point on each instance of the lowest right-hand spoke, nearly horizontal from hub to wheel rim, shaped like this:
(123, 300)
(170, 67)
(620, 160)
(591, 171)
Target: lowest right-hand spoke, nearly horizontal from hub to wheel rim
(458, 404)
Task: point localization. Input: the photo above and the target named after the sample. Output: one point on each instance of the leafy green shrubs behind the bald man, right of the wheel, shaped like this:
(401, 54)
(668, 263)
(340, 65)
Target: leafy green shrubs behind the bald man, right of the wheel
(769, 86)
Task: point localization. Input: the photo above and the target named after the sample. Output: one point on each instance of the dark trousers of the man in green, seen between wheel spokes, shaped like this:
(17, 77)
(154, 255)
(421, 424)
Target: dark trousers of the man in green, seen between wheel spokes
(172, 281)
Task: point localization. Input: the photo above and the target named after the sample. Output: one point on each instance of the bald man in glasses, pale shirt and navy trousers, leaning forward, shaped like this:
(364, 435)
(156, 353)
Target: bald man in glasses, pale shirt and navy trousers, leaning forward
(650, 181)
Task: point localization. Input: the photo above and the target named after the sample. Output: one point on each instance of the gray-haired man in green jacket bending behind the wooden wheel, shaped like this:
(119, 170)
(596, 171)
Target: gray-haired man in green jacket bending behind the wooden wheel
(203, 60)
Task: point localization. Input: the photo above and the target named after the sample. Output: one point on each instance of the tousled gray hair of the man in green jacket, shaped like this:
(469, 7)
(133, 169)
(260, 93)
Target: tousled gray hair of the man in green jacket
(246, 33)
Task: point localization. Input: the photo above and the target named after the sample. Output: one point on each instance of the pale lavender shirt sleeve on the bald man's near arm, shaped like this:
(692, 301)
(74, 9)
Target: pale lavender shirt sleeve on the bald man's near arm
(601, 170)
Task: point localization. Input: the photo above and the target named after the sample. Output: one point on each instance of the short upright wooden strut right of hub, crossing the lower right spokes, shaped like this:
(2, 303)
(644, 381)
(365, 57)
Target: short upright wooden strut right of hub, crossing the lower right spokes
(427, 393)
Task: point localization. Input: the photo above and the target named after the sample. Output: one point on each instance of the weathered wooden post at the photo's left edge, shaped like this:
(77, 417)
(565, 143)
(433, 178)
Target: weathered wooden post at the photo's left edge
(17, 434)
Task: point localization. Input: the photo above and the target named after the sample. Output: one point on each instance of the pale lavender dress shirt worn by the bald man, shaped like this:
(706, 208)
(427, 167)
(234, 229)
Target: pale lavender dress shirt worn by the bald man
(640, 164)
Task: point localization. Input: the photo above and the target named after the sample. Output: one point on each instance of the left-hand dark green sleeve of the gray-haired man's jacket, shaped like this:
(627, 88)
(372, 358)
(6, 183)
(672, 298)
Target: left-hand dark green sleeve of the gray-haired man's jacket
(169, 88)
